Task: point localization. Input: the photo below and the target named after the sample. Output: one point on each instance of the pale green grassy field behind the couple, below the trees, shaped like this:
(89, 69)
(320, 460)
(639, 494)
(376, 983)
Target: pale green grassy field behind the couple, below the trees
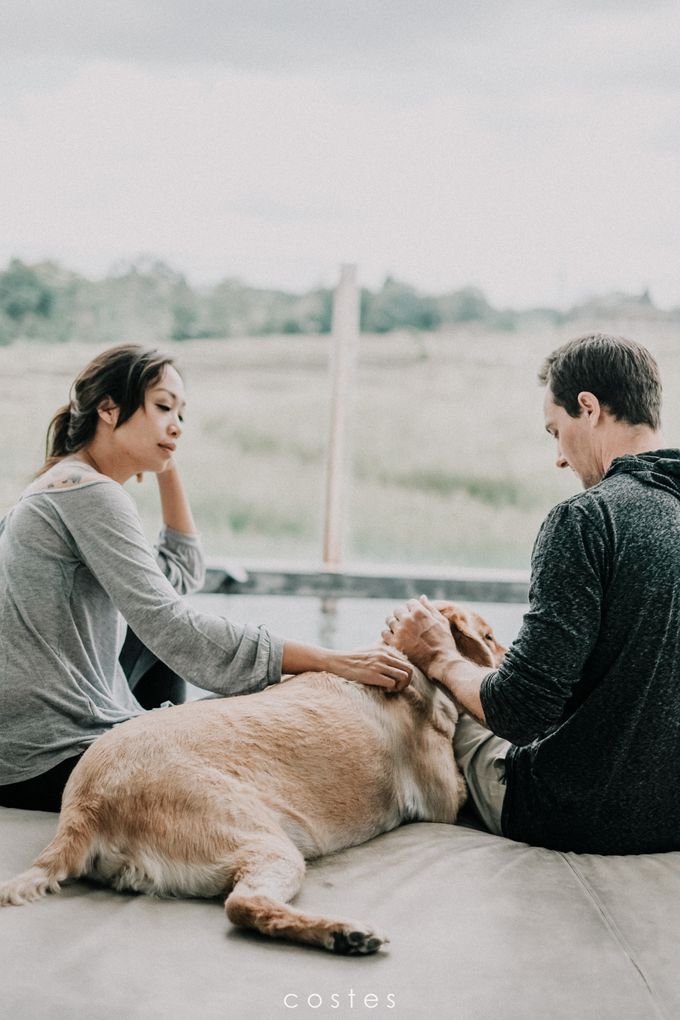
(451, 465)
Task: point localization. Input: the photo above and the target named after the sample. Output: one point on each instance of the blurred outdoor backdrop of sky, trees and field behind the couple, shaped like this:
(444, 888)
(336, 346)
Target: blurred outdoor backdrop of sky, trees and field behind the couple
(505, 176)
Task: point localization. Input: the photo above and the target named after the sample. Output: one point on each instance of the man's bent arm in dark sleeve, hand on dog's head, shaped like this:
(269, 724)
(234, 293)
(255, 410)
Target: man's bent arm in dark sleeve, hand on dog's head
(529, 694)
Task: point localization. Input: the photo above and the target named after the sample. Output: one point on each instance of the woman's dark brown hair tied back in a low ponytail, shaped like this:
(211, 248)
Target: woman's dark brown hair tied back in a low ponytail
(122, 375)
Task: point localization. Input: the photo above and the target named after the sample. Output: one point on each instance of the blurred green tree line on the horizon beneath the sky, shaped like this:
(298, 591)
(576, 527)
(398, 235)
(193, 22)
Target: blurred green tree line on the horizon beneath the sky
(151, 302)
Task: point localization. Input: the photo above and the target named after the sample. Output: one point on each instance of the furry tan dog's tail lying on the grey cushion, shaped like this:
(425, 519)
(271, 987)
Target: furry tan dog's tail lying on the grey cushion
(66, 857)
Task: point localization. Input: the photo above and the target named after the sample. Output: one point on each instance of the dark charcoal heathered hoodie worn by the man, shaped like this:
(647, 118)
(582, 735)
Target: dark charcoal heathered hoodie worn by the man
(590, 693)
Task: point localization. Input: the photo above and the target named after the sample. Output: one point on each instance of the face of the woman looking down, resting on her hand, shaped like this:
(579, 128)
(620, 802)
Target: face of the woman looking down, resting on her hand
(148, 440)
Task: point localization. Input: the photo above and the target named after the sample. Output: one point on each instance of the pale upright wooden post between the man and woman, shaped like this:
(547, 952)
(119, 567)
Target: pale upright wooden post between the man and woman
(345, 350)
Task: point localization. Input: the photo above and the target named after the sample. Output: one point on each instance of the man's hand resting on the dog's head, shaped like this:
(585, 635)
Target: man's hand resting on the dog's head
(425, 636)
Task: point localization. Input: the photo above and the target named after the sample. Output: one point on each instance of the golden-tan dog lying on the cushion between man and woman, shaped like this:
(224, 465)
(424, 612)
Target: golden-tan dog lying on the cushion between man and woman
(236, 794)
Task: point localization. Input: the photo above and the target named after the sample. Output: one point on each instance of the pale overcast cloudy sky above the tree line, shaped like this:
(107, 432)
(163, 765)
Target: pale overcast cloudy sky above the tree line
(531, 149)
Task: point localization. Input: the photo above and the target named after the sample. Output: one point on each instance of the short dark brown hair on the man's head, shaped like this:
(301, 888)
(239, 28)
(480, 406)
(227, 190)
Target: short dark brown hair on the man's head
(622, 375)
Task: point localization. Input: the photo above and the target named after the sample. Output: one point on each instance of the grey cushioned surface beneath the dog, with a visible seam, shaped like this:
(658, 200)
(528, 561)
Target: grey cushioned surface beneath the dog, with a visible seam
(481, 928)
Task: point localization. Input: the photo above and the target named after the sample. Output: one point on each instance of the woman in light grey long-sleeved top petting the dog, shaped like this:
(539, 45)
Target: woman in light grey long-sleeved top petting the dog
(75, 566)
